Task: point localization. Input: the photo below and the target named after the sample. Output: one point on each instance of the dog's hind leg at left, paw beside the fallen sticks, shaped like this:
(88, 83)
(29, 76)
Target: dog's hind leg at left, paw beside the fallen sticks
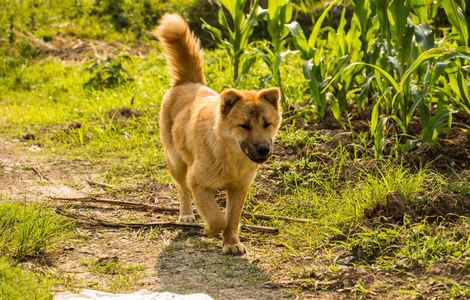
(178, 170)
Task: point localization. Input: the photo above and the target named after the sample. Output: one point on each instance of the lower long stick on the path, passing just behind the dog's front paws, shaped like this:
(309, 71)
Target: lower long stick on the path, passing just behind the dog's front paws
(87, 220)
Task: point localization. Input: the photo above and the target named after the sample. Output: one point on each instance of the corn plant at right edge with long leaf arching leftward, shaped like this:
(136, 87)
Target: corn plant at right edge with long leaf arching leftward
(432, 125)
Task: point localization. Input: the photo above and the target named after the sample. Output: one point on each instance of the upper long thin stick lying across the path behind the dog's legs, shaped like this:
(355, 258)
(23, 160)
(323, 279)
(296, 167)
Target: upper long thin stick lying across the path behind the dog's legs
(154, 208)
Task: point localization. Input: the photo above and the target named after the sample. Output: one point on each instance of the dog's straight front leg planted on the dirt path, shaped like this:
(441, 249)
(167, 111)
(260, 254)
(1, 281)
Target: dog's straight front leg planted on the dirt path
(235, 201)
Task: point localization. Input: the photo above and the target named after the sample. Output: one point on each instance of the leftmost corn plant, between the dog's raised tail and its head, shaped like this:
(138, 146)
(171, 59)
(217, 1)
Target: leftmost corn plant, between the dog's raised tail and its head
(236, 42)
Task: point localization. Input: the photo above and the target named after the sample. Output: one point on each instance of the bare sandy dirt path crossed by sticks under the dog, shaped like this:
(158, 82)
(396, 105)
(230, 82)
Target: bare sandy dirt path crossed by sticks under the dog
(159, 259)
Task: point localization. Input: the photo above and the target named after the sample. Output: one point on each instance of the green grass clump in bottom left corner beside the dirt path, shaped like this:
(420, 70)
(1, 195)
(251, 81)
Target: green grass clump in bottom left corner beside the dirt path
(27, 231)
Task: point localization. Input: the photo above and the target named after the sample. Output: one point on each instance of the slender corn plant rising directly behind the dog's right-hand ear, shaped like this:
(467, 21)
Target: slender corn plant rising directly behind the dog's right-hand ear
(278, 13)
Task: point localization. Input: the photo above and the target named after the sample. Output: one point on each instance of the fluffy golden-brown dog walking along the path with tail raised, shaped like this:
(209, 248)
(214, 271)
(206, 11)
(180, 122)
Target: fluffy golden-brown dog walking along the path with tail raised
(212, 141)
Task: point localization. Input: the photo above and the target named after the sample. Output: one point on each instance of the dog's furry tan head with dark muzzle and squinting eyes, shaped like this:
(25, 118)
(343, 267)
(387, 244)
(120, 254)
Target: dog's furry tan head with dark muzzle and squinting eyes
(251, 119)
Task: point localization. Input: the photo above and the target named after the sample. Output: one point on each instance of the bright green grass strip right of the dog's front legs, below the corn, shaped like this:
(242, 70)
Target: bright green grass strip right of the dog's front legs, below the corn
(334, 205)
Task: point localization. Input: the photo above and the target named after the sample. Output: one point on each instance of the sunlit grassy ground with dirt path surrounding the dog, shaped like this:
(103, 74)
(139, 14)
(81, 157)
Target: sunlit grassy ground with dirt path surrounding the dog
(81, 101)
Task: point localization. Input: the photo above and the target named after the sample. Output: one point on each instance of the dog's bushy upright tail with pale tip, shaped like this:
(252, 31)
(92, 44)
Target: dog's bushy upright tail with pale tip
(182, 50)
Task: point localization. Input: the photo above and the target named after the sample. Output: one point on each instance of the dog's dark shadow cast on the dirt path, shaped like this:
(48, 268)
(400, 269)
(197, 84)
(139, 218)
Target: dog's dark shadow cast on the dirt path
(195, 264)
